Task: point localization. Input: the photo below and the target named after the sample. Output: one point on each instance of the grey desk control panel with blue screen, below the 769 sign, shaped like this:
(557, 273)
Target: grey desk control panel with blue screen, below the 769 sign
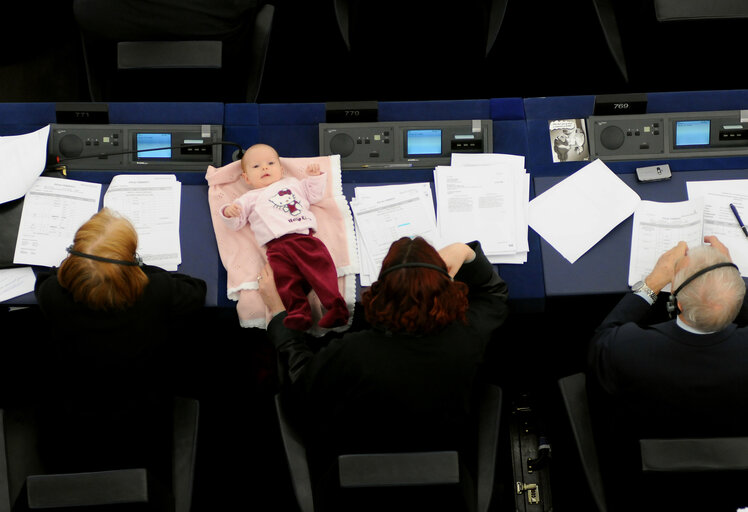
(669, 135)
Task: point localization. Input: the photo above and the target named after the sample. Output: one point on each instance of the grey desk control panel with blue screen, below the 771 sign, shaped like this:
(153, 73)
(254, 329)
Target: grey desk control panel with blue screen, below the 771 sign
(135, 147)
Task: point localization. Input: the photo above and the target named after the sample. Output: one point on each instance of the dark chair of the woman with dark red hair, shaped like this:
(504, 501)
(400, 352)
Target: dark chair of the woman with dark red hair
(385, 471)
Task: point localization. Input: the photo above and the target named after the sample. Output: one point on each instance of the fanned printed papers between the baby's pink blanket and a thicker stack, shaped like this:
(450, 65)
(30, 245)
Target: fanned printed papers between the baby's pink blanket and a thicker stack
(386, 213)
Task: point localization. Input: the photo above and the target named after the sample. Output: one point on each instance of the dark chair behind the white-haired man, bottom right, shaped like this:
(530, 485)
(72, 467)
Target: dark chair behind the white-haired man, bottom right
(665, 462)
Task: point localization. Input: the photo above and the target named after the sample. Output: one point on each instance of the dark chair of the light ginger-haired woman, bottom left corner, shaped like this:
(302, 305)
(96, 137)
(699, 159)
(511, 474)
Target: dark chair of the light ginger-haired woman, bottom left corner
(25, 483)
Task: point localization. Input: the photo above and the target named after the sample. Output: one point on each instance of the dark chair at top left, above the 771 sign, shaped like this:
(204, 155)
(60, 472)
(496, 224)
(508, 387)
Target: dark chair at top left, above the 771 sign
(167, 55)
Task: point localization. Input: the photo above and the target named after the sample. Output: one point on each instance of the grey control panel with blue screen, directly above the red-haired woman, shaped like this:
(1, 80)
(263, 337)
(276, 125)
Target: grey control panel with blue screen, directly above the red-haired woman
(417, 144)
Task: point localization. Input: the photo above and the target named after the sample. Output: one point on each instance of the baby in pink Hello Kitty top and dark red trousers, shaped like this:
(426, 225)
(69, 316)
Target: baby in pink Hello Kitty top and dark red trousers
(277, 210)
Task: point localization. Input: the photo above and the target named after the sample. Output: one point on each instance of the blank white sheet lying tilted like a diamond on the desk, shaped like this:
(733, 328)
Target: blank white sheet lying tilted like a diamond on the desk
(579, 211)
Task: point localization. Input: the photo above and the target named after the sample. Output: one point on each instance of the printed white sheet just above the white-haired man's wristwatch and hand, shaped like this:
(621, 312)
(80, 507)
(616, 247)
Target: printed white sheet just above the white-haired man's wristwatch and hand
(658, 227)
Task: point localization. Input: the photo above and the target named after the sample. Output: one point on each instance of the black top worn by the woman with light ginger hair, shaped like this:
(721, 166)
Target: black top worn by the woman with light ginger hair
(108, 402)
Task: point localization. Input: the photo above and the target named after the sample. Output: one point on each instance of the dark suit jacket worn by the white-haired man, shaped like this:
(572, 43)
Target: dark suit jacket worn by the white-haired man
(668, 380)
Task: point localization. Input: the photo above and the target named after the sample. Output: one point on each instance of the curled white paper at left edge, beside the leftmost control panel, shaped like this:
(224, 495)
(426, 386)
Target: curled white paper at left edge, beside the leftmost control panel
(22, 160)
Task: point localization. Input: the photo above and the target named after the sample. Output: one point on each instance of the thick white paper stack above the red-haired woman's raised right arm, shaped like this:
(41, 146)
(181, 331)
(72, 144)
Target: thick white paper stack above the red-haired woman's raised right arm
(485, 197)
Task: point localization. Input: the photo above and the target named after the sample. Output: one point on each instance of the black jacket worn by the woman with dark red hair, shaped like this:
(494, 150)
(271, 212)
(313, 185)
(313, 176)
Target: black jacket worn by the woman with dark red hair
(378, 391)
